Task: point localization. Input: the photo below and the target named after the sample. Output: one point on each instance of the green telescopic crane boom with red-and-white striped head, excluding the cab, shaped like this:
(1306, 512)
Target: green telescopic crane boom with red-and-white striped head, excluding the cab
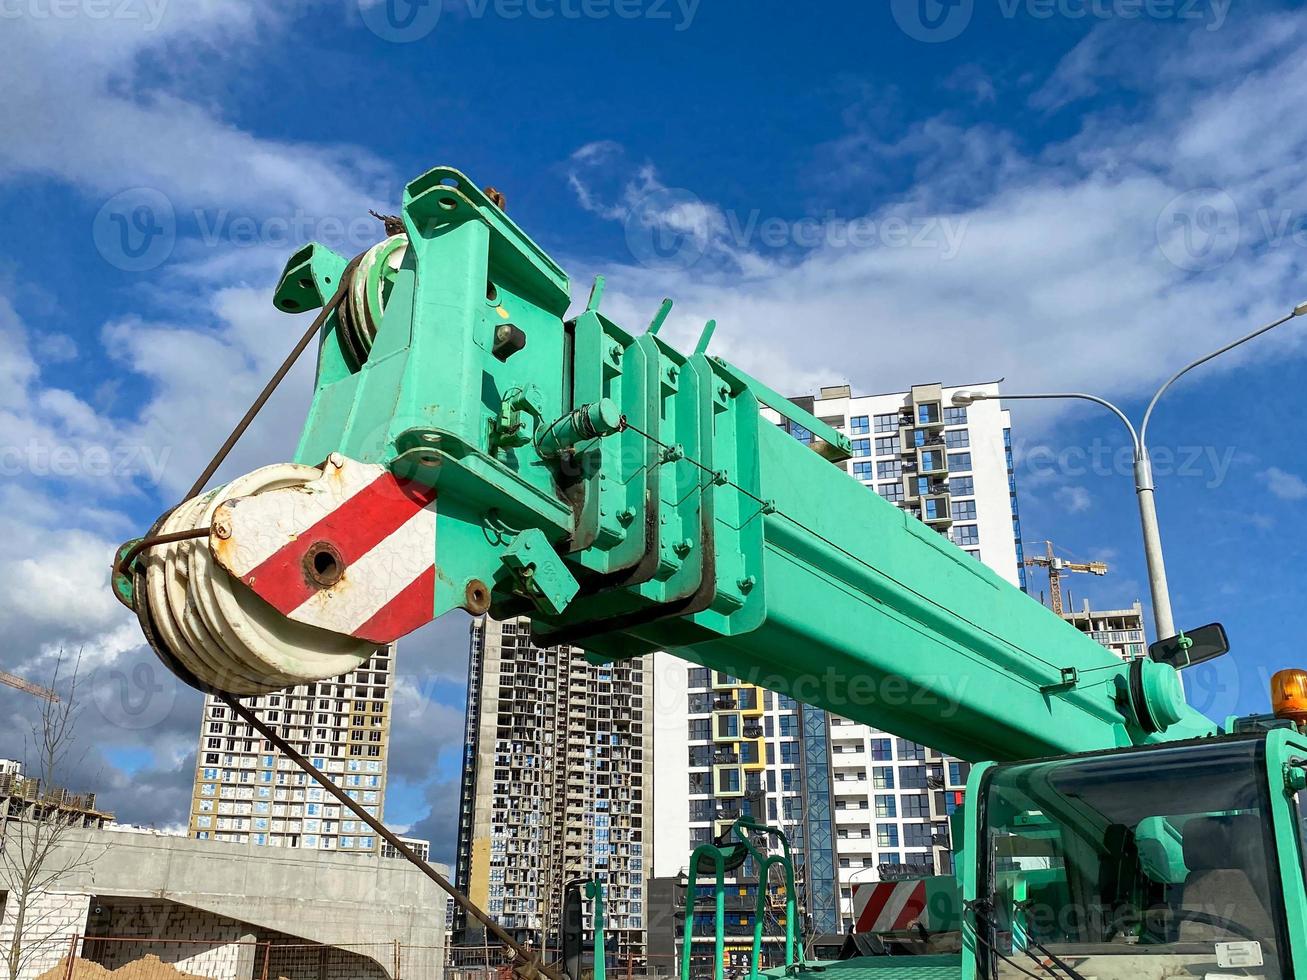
(629, 497)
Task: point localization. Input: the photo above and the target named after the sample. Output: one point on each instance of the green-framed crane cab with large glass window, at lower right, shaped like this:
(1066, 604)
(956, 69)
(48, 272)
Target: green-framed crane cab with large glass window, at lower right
(1176, 860)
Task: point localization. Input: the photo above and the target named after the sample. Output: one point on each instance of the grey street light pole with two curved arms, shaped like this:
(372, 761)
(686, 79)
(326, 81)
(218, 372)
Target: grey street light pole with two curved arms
(1164, 621)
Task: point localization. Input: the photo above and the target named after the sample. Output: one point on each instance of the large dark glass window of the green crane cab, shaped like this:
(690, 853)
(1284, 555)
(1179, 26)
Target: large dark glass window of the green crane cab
(1182, 830)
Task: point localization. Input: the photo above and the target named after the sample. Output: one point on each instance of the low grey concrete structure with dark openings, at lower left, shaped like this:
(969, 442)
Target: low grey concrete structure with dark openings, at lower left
(202, 905)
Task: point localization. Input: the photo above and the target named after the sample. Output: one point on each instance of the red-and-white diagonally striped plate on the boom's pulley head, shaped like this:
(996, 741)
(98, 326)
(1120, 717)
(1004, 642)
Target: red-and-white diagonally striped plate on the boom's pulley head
(378, 530)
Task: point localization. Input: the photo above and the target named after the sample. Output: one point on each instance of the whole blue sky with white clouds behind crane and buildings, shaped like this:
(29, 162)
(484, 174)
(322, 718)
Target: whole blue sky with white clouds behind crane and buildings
(1066, 194)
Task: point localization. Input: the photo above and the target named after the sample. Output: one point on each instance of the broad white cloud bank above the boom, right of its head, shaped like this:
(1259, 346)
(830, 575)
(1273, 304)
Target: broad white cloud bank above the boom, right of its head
(1074, 270)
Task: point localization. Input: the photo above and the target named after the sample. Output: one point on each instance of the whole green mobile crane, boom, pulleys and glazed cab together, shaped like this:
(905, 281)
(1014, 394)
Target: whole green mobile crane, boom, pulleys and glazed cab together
(474, 442)
